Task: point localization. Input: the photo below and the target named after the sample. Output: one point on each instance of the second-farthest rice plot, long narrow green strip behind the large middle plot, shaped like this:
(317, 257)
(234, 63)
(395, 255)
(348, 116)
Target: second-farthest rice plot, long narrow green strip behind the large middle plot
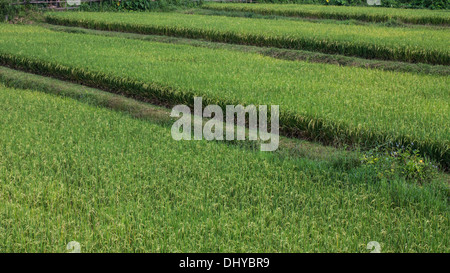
(371, 42)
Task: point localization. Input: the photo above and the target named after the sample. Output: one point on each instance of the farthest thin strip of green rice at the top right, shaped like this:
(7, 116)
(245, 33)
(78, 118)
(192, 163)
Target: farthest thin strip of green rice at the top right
(370, 14)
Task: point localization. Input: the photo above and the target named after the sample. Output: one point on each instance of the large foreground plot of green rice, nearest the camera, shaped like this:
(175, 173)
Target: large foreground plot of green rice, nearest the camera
(70, 171)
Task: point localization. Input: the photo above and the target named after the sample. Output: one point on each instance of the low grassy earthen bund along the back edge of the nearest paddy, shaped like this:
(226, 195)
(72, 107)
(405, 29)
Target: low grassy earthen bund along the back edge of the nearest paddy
(338, 158)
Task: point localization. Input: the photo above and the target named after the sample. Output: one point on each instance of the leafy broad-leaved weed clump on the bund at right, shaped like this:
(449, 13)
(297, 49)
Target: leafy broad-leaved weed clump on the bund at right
(392, 161)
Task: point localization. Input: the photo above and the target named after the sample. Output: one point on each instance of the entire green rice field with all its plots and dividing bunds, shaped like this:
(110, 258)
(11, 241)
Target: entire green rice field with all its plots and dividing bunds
(87, 153)
